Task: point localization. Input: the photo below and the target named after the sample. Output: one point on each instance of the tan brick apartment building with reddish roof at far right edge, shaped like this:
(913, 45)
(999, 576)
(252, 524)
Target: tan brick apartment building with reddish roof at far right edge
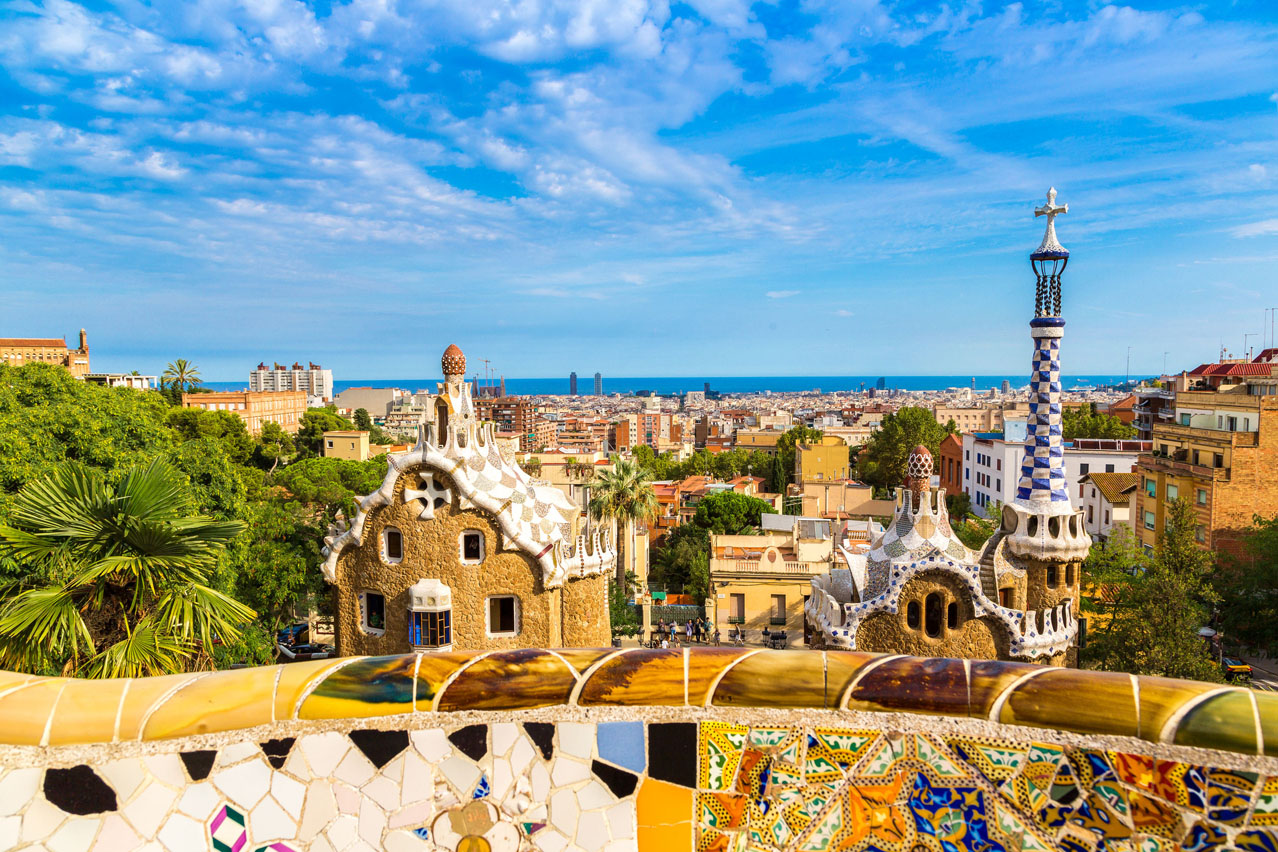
(1220, 450)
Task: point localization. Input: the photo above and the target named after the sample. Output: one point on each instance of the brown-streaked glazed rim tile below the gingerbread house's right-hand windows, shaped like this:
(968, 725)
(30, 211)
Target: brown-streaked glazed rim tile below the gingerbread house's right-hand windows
(511, 680)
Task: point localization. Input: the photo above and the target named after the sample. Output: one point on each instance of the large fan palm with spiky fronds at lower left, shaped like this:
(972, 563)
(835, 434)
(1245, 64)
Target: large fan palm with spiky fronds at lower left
(121, 574)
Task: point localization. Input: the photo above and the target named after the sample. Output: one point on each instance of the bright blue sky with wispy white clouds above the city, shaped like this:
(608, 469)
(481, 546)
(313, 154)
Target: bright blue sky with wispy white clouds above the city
(839, 187)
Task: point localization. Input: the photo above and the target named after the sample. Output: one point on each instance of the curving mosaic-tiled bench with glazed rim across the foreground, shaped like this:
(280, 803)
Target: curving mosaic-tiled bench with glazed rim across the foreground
(617, 750)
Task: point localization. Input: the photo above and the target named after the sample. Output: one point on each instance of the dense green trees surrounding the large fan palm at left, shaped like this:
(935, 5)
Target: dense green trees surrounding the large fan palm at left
(50, 422)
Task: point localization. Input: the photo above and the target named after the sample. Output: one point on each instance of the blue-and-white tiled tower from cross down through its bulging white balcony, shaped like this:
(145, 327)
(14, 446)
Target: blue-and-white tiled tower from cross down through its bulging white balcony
(1042, 524)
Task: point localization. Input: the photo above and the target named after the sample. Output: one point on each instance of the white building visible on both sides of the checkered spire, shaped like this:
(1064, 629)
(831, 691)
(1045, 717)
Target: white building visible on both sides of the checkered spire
(992, 463)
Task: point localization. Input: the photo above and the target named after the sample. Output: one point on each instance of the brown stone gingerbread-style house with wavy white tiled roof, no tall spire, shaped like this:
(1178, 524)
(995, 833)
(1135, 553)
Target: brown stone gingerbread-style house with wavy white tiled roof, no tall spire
(462, 550)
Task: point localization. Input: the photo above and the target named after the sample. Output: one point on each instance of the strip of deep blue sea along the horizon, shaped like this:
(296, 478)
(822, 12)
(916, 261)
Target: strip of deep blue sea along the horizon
(666, 385)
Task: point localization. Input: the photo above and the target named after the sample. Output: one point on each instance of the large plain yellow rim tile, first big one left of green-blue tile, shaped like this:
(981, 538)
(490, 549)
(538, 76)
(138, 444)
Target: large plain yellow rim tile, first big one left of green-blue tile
(222, 702)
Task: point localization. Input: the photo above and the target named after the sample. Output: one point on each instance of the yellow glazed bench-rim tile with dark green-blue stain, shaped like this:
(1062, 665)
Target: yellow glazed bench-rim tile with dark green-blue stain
(371, 687)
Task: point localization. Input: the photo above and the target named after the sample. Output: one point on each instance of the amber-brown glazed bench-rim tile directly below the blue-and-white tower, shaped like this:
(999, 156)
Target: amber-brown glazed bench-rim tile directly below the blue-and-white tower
(1075, 701)
